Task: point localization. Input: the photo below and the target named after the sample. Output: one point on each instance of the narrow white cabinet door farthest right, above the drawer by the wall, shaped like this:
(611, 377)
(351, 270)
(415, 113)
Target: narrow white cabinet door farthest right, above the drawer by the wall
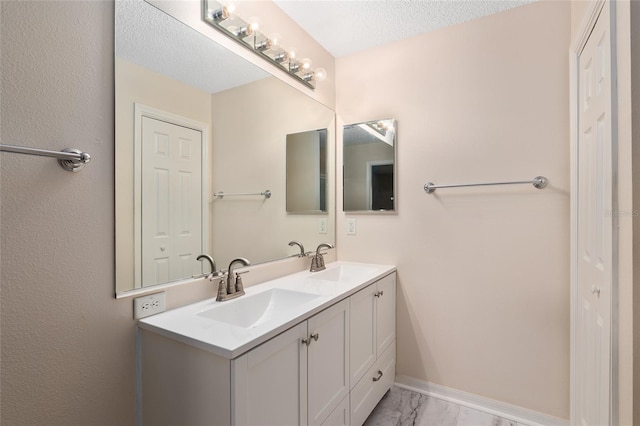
(386, 313)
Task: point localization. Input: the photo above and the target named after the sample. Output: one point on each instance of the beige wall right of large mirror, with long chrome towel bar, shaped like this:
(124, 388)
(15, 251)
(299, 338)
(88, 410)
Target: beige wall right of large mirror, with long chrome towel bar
(483, 300)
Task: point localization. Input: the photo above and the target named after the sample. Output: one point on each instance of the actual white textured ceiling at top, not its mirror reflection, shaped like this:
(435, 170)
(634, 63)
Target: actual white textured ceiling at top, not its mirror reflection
(346, 27)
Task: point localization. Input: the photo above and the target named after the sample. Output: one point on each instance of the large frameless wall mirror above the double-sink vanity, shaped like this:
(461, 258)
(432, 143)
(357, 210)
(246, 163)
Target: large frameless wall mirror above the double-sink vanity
(232, 120)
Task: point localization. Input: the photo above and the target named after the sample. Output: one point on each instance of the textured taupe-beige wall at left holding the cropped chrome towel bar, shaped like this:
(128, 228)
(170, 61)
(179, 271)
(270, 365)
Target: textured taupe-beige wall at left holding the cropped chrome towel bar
(67, 345)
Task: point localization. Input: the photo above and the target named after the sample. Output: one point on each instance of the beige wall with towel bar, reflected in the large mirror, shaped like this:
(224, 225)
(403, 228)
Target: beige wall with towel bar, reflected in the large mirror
(249, 154)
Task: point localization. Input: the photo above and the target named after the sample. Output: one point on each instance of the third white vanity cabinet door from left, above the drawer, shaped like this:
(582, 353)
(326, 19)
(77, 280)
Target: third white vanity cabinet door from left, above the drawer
(363, 335)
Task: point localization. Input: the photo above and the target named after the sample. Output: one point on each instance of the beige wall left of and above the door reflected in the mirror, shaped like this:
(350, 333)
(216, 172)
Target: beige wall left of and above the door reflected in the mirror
(138, 85)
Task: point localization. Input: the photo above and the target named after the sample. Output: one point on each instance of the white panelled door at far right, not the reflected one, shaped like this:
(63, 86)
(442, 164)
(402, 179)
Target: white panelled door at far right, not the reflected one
(594, 240)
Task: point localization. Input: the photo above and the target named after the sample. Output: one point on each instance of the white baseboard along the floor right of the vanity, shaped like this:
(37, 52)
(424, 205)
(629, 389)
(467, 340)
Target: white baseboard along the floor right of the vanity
(491, 406)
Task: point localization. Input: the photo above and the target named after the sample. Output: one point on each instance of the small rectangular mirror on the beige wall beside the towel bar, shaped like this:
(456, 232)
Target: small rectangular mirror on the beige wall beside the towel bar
(369, 166)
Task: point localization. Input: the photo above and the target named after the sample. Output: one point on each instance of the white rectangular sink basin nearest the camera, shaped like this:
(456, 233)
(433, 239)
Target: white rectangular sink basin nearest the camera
(252, 310)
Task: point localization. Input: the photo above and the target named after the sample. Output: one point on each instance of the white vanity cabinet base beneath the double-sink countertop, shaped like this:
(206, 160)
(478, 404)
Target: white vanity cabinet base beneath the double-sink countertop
(330, 369)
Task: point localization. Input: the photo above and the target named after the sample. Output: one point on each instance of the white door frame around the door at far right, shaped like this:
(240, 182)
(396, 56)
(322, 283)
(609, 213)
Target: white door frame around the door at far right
(577, 45)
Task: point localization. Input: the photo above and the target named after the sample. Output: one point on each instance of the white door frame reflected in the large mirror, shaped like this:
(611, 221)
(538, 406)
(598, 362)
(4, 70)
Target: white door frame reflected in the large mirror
(141, 111)
